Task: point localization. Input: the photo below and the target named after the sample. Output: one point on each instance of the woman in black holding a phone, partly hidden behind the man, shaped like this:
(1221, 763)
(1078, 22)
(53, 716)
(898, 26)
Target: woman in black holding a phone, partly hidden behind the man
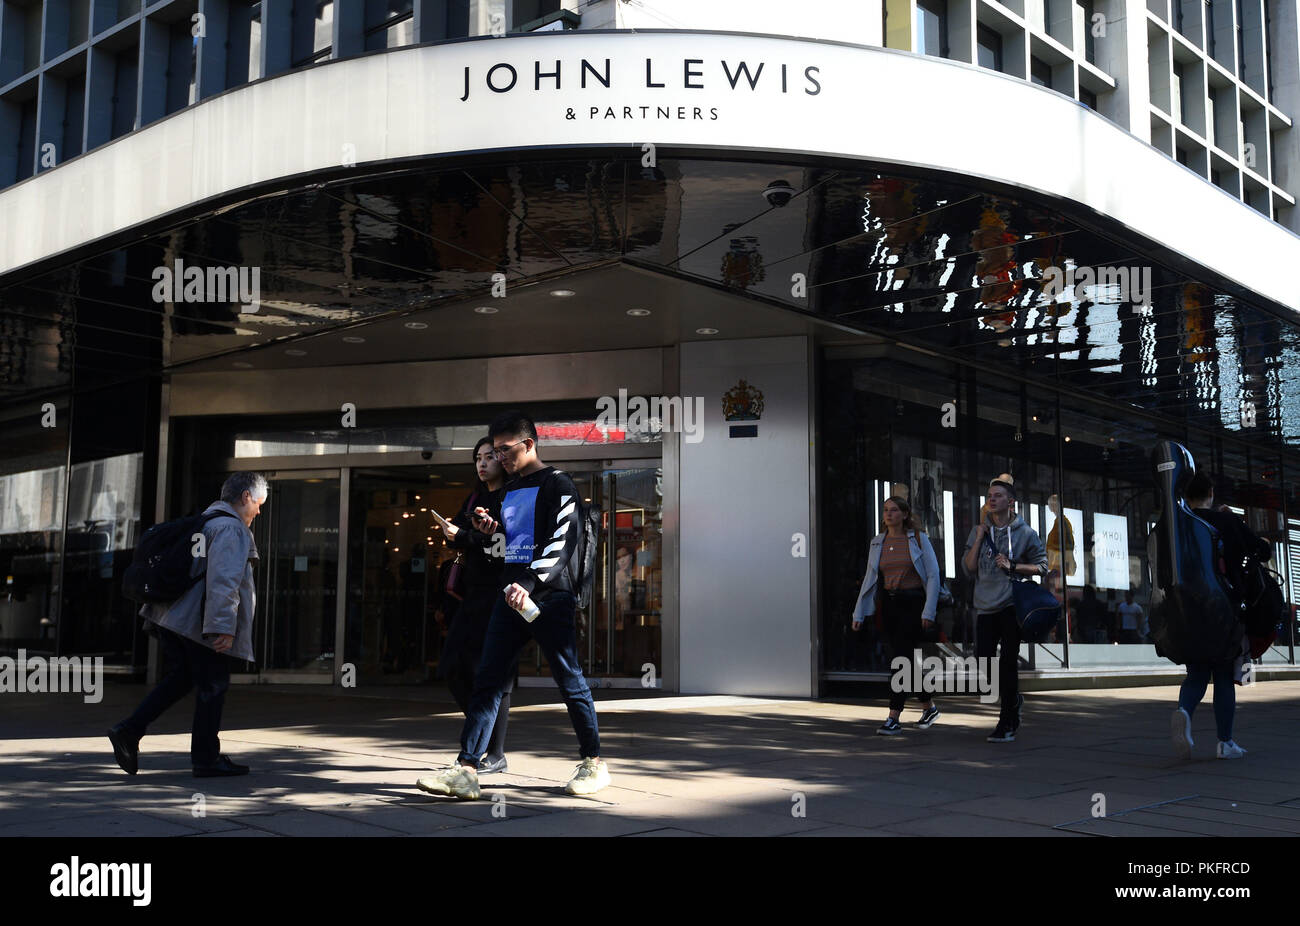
(471, 533)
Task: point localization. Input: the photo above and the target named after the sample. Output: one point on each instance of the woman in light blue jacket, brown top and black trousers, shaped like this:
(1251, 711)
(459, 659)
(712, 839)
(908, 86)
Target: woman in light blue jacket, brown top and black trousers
(903, 579)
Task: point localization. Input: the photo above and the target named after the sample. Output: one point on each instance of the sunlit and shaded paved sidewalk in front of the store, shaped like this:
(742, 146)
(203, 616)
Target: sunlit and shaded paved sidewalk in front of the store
(332, 763)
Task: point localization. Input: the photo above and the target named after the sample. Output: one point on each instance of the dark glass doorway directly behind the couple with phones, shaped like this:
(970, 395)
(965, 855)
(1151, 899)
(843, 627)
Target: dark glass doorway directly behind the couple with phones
(397, 562)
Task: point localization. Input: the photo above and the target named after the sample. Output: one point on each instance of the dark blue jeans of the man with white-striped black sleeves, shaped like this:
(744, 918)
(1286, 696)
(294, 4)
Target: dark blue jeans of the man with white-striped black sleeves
(508, 634)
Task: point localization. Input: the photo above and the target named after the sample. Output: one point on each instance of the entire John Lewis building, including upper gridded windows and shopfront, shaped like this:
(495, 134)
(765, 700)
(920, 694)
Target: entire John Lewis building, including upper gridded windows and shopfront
(751, 278)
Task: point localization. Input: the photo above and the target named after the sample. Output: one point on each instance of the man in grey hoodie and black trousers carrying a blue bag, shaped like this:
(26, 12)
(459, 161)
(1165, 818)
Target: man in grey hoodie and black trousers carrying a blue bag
(1016, 548)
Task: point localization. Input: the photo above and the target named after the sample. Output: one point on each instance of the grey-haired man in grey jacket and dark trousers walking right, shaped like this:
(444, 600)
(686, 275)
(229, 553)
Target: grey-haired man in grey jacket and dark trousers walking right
(202, 630)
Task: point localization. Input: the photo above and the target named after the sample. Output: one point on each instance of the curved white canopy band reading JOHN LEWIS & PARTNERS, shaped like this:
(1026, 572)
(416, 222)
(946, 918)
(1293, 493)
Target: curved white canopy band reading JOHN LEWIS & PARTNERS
(535, 92)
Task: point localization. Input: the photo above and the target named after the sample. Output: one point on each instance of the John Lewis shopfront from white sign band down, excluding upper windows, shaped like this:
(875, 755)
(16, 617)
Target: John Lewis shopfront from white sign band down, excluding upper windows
(833, 250)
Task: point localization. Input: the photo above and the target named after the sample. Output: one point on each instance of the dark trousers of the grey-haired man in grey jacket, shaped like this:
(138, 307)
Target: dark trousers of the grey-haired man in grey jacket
(189, 665)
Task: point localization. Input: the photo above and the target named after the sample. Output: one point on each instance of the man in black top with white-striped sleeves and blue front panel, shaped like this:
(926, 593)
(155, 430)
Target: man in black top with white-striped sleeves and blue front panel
(540, 517)
